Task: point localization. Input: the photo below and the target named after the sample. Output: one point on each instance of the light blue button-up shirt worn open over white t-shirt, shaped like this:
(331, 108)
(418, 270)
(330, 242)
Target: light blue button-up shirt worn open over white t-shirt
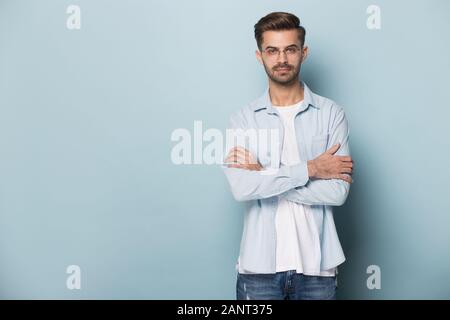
(319, 124)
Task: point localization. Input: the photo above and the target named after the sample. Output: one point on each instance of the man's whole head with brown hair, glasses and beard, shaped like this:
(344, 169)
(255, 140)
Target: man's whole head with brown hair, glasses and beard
(280, 40)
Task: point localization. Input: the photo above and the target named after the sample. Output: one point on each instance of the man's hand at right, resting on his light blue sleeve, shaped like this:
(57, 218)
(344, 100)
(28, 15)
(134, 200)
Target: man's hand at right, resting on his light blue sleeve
(330, 166)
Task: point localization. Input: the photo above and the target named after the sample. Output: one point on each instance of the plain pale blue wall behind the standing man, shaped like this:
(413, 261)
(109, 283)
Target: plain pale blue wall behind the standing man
(85, 124)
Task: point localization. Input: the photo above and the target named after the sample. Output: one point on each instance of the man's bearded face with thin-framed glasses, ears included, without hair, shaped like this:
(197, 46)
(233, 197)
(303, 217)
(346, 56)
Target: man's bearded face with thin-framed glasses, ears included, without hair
(282, 55)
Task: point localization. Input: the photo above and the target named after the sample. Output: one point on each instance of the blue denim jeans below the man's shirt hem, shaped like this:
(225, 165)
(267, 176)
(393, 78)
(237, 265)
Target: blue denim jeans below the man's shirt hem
(286, 285)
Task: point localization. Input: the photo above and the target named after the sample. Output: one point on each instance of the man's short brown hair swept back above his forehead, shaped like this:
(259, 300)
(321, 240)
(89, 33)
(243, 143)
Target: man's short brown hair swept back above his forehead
(278, 21)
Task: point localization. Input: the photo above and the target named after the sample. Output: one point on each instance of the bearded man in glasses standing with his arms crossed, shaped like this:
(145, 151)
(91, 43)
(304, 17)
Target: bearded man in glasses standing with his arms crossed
(289, 247)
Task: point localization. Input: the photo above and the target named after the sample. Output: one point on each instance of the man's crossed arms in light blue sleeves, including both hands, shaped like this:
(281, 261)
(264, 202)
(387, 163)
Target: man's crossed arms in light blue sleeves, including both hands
(305, 182)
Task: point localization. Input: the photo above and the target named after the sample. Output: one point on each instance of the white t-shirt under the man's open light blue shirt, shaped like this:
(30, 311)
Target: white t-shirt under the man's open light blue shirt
(298, 243)
